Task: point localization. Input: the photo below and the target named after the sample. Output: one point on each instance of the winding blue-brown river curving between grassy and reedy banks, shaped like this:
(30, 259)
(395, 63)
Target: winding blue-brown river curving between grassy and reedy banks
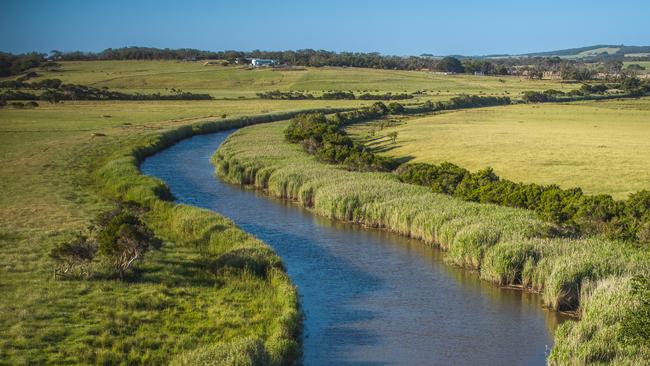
(369, 297)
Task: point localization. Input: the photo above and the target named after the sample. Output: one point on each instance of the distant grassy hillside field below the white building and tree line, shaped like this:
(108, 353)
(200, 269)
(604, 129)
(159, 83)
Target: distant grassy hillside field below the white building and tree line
(238, 81)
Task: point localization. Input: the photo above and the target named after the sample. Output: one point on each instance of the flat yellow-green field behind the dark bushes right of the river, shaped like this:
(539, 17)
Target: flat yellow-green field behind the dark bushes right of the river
(602, 147)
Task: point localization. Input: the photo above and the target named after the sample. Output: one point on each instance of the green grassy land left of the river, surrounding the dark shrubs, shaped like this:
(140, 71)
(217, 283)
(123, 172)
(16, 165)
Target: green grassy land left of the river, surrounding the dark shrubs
(212, 293)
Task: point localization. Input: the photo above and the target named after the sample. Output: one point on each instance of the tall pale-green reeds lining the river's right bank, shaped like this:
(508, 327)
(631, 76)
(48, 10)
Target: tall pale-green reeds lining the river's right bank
(507, 246)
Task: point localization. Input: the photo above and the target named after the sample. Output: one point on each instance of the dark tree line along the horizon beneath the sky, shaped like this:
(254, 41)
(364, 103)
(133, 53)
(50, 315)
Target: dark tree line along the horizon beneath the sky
(533, 66)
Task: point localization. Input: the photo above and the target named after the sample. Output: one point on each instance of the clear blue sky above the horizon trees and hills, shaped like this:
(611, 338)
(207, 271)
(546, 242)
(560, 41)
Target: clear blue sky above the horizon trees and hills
(407, 27)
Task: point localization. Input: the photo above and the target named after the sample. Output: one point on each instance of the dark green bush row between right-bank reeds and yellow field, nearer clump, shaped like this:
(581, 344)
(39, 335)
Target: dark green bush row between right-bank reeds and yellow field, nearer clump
(575, 212)
